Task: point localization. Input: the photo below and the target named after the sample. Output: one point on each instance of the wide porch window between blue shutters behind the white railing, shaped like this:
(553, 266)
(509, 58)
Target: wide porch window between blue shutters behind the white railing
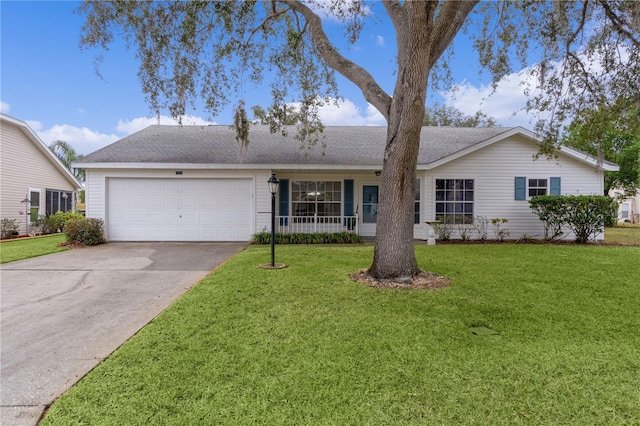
(316, 198)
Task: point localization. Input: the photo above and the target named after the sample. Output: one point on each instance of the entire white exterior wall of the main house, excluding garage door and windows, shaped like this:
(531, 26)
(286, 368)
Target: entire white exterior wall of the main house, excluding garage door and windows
(493, 170)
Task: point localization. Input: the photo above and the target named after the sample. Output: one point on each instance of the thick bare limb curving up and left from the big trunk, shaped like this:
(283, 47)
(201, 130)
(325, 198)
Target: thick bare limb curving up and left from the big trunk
(372, 91)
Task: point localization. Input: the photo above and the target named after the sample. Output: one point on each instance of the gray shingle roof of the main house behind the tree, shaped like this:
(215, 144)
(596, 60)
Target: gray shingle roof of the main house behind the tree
(217, 145)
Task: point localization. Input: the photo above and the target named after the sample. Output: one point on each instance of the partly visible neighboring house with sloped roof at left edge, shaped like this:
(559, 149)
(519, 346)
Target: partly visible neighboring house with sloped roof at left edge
(33, 182)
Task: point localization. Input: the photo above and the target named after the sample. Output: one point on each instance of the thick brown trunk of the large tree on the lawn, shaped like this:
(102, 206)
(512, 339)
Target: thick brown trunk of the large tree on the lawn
(394, 255)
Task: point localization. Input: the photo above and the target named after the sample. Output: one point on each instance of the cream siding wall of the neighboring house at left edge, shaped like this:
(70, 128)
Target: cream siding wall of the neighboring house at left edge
(23, 167)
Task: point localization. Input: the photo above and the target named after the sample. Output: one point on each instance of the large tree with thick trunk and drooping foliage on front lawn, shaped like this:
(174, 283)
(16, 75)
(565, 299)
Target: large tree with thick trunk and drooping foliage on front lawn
(585, 52)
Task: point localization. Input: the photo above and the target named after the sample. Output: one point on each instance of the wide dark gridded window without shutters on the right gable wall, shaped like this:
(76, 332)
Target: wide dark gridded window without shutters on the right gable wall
(454, 200)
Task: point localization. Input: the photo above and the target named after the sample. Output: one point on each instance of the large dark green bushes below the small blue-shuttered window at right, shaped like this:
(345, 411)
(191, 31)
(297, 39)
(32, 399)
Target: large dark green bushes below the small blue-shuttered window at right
(585, 215)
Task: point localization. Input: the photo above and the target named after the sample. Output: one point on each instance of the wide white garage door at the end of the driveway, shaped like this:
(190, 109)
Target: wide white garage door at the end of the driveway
(179, 209)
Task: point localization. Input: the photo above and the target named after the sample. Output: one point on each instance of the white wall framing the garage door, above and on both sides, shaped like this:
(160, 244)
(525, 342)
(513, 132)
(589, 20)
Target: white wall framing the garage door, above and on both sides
(97, 181)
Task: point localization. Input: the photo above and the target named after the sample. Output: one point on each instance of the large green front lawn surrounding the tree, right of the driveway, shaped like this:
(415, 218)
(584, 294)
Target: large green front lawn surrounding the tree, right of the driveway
(306, 346)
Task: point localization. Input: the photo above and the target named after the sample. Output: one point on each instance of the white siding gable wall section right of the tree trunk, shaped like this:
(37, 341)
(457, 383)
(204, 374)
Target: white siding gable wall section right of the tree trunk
(494, 169)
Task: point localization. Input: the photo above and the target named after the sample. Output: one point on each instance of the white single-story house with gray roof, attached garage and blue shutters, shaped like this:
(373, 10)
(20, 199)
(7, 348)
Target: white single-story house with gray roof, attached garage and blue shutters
(188, 183)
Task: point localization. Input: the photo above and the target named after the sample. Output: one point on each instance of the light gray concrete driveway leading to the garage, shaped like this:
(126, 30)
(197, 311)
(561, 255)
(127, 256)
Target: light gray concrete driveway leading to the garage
(64, 313)
